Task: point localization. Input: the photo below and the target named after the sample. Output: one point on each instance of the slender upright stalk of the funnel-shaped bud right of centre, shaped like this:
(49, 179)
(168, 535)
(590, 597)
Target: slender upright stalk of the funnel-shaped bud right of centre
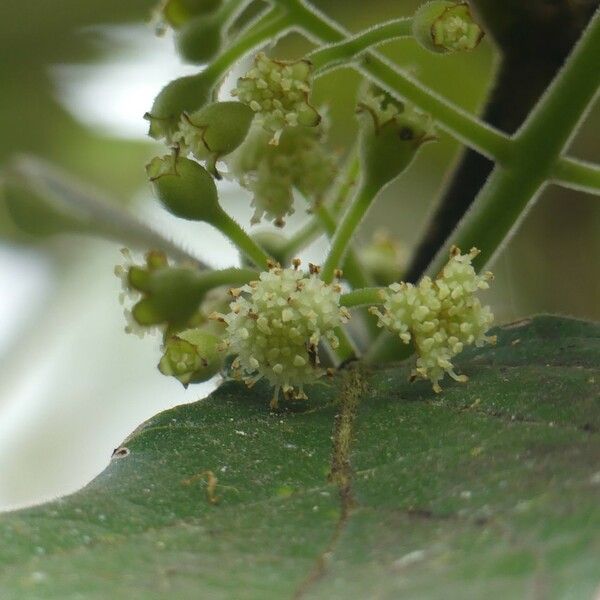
(345, 230)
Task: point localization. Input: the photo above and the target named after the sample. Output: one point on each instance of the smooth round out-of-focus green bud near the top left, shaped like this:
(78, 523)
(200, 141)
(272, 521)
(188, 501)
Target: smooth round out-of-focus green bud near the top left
(200, 39)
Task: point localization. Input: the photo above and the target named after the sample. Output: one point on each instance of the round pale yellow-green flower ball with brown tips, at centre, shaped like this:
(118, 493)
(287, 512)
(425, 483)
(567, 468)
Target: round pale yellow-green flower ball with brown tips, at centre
(275, 325)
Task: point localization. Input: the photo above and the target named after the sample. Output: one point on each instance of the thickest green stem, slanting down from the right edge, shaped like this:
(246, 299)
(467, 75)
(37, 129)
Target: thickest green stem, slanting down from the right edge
(510, 190)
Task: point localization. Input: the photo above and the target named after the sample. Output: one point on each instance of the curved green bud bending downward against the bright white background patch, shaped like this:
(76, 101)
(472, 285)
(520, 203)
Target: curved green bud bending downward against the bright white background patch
(185, 94)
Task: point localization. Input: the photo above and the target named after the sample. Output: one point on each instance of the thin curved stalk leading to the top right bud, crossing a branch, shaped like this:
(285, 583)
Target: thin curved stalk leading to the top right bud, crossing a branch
(349, 50)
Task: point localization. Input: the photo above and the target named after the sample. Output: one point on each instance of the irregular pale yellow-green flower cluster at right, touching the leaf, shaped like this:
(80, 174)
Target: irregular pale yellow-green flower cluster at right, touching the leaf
(440, 316)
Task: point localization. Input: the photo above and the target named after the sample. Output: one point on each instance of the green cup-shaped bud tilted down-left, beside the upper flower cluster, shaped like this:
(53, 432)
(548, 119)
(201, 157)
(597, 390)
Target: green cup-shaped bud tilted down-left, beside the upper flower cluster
(215, 131)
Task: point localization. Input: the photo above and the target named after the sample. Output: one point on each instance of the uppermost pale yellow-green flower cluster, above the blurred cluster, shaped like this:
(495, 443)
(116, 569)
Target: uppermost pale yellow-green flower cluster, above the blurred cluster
(277, 92)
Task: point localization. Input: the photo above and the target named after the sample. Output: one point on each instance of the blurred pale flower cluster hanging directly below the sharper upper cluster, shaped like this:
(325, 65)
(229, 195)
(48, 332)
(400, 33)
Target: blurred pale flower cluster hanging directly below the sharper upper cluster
(300, 161)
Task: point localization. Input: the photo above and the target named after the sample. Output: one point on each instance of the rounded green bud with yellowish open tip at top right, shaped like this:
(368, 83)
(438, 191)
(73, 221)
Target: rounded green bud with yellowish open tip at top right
(446, 26)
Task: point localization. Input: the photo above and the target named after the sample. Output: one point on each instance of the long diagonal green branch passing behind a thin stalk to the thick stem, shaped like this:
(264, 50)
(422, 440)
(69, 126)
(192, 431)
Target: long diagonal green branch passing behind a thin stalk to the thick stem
(462, 125)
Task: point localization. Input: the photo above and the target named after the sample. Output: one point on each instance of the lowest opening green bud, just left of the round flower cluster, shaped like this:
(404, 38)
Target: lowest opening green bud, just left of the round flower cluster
(191, 356)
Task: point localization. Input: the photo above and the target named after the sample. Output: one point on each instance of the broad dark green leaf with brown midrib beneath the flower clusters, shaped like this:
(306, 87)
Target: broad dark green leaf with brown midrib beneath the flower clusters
(375, 488)
